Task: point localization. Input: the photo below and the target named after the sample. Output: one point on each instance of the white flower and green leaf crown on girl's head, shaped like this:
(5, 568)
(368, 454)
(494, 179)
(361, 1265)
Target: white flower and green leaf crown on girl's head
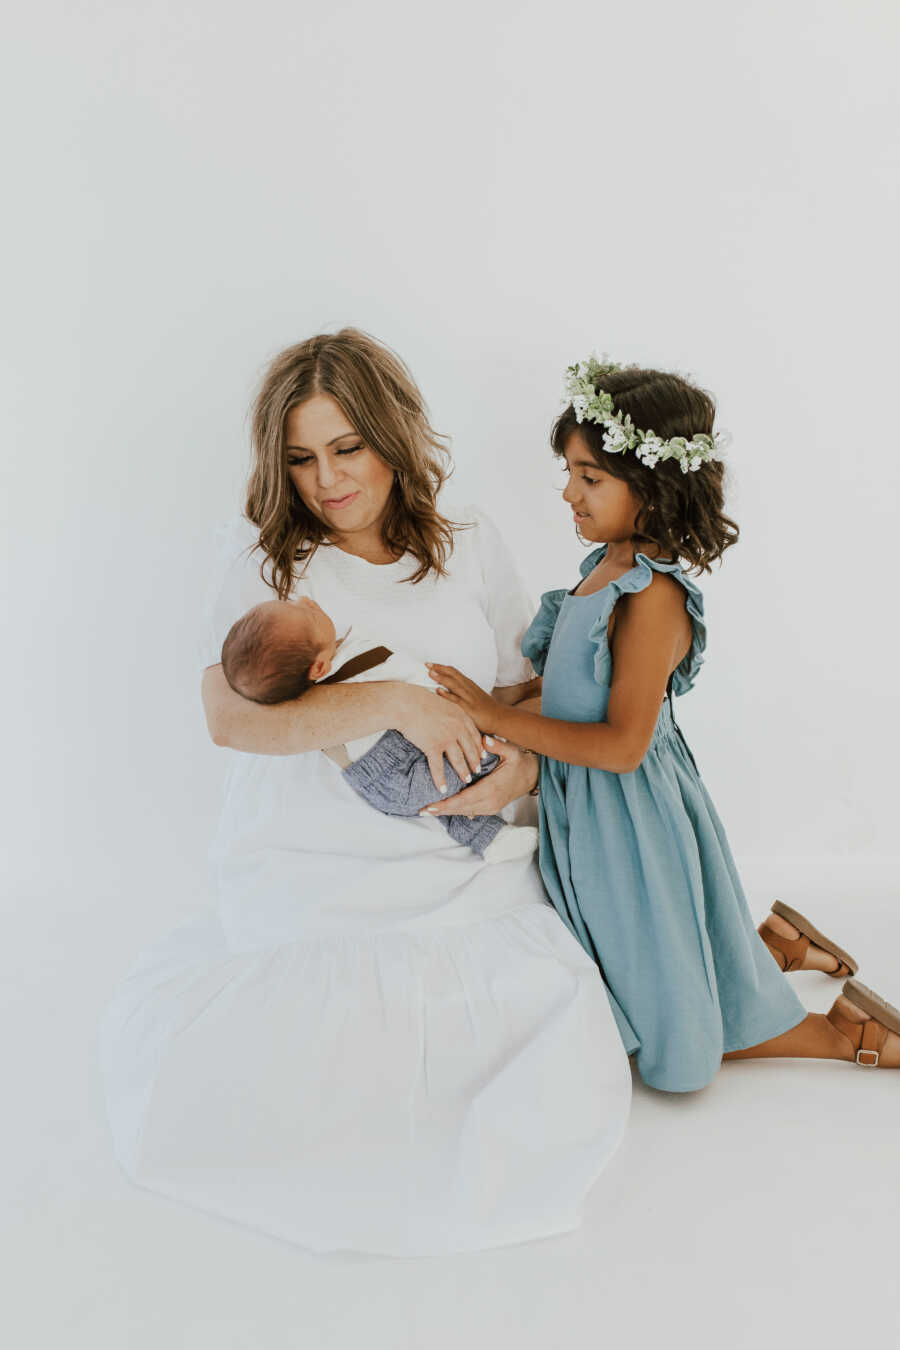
(621, 434)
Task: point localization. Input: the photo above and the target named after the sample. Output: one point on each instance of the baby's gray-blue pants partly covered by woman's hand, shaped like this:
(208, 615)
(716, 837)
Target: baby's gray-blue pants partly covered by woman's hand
(395, 778)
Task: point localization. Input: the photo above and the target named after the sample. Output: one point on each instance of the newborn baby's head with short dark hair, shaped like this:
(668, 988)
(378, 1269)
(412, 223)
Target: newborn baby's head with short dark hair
(279, 650)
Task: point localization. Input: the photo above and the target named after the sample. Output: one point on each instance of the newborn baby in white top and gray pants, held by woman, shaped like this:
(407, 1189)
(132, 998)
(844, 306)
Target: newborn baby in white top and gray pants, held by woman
(280, 649)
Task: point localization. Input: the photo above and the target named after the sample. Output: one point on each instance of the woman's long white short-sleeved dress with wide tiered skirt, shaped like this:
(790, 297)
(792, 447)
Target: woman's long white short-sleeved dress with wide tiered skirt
(373, 1042)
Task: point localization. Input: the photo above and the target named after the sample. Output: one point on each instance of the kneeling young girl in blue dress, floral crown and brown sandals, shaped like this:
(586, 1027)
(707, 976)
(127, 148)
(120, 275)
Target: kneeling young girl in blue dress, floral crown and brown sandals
(632, 851)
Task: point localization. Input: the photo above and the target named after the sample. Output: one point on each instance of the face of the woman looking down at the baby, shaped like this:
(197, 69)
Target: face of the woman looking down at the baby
(339, 479)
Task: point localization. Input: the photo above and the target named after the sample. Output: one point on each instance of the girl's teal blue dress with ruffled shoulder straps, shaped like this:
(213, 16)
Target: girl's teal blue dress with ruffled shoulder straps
(639, 865)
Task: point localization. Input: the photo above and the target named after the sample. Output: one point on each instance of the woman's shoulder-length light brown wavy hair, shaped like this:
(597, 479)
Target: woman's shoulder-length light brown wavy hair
(381, 400)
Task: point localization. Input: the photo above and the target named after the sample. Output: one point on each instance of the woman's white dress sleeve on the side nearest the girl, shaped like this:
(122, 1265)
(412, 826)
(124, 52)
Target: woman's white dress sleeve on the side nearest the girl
(508, 604)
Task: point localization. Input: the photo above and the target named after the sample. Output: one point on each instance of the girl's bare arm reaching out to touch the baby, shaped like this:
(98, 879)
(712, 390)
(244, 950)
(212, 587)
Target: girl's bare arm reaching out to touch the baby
(650, 641)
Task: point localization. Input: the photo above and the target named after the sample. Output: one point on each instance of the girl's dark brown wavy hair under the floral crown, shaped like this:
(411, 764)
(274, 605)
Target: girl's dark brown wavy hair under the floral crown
(681, 514)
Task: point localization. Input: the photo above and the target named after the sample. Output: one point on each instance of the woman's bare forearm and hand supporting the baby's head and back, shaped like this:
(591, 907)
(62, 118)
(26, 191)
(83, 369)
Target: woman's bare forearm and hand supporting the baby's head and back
(338, 713)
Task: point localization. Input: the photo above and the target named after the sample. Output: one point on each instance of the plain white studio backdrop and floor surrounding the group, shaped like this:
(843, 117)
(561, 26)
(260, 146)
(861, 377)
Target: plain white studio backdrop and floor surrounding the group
(493, 190)
